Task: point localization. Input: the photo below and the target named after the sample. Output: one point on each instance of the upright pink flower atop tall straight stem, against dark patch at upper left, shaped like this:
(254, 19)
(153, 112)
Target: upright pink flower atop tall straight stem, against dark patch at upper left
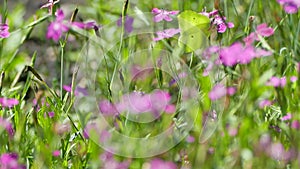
(57, 27)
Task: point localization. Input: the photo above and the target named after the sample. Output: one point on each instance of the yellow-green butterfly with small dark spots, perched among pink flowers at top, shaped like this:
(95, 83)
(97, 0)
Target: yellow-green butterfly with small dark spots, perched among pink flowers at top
(194, 30)
